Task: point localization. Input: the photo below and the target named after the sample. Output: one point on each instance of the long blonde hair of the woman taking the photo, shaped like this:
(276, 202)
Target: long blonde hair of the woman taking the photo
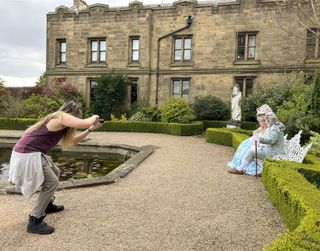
(70, 108)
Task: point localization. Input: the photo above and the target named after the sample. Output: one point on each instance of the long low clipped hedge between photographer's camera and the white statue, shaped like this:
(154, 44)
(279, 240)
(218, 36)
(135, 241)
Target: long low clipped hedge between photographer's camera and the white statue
(153, 127)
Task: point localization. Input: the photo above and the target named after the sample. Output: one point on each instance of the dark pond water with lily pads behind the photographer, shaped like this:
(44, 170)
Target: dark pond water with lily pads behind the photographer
(73, 165)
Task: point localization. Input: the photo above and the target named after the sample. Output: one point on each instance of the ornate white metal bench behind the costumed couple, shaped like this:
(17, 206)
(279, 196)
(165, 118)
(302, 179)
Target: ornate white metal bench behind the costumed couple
(293, 150)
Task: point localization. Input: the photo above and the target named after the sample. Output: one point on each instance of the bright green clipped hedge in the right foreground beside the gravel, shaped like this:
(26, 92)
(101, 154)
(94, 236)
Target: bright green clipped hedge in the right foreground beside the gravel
(298, 203)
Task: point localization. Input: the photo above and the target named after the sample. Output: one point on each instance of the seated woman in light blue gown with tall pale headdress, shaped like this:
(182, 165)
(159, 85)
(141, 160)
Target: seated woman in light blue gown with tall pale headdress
(246, 144)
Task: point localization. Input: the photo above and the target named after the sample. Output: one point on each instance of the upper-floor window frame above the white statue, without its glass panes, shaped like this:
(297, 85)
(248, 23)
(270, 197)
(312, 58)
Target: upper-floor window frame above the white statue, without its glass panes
(246, 45)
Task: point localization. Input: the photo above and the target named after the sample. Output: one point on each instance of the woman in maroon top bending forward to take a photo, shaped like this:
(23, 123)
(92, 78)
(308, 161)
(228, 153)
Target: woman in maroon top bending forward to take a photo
(31, 167)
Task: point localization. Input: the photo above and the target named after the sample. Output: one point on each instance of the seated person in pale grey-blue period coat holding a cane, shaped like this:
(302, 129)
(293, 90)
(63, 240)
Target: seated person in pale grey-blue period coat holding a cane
(272, 144)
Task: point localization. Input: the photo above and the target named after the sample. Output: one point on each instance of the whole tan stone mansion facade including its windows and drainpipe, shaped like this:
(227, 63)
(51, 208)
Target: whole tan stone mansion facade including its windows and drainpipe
(186, 49)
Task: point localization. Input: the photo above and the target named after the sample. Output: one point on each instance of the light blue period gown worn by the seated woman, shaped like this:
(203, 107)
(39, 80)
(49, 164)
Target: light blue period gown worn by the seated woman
(236, 161)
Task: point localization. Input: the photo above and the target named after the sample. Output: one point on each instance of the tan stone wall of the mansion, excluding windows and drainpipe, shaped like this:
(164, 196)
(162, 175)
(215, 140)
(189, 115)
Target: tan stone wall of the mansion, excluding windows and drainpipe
(214, 36)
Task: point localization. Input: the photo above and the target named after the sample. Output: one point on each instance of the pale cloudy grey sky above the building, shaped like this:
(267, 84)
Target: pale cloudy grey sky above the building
(23, 36)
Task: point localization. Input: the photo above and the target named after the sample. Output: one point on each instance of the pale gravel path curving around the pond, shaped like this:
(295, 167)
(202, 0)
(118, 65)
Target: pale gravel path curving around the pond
(179, 198)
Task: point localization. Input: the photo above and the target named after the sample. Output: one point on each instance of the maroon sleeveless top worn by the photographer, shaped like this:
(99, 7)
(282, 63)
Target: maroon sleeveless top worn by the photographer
(40, 140)
